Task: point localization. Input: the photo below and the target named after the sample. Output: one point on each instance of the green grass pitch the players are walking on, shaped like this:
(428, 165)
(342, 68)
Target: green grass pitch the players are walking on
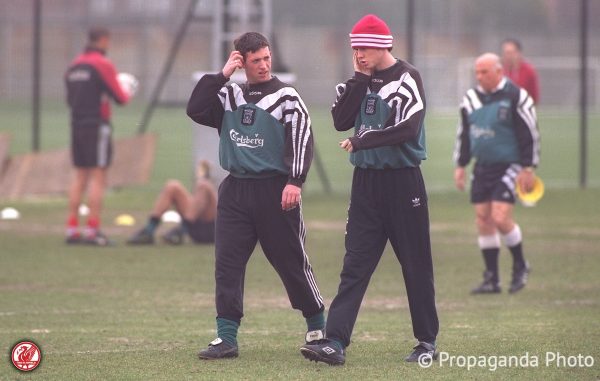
(128, 313)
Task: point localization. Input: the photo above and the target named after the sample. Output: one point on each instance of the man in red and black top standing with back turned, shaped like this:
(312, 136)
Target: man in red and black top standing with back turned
(91, 81)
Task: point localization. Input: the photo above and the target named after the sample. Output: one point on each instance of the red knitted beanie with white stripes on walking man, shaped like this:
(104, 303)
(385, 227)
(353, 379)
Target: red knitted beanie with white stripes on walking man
(371, 32)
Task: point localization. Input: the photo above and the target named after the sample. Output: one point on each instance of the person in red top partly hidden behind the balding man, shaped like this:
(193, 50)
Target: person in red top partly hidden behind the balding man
(519, 70)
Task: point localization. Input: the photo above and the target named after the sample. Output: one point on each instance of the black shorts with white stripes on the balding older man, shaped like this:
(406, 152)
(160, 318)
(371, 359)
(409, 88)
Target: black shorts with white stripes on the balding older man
(495, 182)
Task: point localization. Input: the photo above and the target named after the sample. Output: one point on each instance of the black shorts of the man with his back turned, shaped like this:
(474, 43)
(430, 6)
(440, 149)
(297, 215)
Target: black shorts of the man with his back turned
(91, 144)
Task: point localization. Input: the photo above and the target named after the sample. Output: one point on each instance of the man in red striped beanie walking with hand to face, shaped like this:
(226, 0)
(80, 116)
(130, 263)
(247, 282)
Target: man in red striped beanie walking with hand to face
(384, 105)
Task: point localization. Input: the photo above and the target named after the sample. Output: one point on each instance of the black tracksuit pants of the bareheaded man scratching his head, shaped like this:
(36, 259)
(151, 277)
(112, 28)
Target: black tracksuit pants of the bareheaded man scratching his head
(249, 211)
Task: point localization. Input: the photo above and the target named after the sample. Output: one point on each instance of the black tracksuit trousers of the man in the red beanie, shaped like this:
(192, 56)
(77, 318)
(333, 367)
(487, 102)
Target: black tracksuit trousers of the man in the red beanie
(387, 204)
